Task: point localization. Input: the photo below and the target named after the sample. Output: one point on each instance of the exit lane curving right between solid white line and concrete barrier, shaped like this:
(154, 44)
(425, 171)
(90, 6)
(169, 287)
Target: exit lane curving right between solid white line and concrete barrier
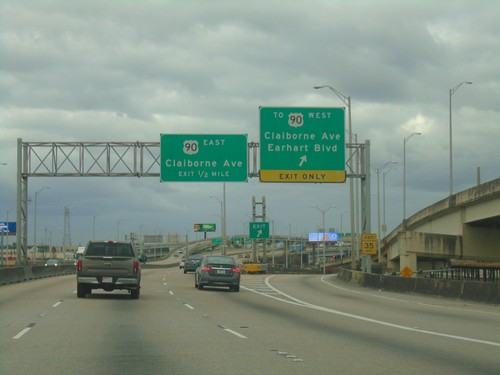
(423, 313)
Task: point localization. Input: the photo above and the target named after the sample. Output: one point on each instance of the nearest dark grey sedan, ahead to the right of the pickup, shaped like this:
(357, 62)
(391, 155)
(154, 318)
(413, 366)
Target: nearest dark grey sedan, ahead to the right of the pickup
(217, 270)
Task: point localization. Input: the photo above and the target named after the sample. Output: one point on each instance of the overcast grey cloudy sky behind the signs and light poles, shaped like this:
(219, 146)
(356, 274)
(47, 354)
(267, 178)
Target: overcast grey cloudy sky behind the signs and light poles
(132, 70)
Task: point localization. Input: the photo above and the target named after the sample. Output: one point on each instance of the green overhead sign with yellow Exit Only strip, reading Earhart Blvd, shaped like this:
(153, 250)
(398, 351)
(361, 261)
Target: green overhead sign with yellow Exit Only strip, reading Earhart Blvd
(302, 144)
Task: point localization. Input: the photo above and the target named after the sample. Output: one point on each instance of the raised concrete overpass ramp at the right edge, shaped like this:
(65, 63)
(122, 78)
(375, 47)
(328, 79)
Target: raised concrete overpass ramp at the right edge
(464, 226)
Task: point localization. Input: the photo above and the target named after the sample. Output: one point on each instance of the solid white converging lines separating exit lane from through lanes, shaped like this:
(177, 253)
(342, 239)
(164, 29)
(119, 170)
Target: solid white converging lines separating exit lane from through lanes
(296, 301)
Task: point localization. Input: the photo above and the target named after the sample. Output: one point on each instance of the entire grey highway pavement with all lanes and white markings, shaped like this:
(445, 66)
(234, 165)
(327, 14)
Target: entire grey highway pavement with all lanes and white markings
(276, 324)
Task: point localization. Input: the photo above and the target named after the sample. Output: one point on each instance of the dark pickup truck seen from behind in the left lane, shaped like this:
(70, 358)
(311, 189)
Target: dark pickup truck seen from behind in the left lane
(108, 265)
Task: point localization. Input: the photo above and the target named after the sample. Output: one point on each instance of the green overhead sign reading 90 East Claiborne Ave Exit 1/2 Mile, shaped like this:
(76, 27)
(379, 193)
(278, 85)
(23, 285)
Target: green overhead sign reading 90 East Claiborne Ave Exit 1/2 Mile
(203, 157)
